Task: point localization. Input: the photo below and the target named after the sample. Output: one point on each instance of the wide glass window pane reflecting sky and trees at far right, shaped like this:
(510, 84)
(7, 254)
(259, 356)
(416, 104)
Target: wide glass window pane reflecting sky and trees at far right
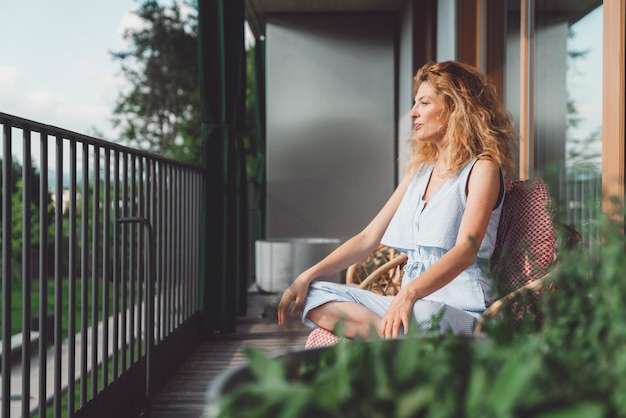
(568, 105)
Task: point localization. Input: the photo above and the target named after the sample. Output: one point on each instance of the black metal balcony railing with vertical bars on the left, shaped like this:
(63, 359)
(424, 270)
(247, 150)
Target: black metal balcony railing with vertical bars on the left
(100, 271)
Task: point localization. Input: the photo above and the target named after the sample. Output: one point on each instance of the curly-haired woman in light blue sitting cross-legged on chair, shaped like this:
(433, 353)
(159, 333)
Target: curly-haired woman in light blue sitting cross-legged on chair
(444, 215)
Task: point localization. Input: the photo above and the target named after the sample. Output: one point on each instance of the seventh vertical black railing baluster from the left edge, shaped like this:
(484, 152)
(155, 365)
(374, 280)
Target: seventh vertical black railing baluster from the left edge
(95, 251)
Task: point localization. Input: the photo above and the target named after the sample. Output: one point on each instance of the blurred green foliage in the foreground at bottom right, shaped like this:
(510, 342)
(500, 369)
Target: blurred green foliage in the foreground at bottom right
(574, 366)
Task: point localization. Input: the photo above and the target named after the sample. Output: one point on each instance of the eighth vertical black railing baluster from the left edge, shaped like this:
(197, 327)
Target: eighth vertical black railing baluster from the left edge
(106, 269)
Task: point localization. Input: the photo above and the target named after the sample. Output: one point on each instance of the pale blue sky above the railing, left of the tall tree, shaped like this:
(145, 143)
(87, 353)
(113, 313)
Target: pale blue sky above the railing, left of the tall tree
(55, 62)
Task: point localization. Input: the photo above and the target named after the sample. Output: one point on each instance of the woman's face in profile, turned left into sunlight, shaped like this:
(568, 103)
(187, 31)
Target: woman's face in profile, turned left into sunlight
(426, 112)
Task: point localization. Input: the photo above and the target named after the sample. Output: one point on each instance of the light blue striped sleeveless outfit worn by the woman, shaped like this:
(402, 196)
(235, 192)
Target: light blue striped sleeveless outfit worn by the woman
(425, 233)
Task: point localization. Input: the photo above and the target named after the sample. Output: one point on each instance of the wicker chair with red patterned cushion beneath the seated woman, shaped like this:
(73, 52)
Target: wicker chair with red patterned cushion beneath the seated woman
(526, 250)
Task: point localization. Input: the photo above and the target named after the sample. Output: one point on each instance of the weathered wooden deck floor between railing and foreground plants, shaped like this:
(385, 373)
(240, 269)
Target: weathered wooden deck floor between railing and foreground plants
(185, 394)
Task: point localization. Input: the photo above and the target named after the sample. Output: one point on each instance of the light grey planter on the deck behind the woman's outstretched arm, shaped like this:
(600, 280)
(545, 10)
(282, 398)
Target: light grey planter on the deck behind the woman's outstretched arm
(280, 260)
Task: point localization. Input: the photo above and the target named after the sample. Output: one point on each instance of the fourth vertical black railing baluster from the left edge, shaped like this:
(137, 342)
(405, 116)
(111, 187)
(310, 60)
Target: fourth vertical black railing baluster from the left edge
(58, 277)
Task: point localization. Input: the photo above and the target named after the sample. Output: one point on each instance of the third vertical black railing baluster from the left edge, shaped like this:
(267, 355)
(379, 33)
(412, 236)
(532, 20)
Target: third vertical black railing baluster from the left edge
(43, 273)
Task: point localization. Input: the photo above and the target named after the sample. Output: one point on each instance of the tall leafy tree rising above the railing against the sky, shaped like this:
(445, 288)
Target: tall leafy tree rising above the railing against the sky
(161, 110)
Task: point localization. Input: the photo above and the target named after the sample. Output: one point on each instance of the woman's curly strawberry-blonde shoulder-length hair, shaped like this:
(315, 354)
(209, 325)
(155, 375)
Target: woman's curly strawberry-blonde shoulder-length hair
(475, 120)
